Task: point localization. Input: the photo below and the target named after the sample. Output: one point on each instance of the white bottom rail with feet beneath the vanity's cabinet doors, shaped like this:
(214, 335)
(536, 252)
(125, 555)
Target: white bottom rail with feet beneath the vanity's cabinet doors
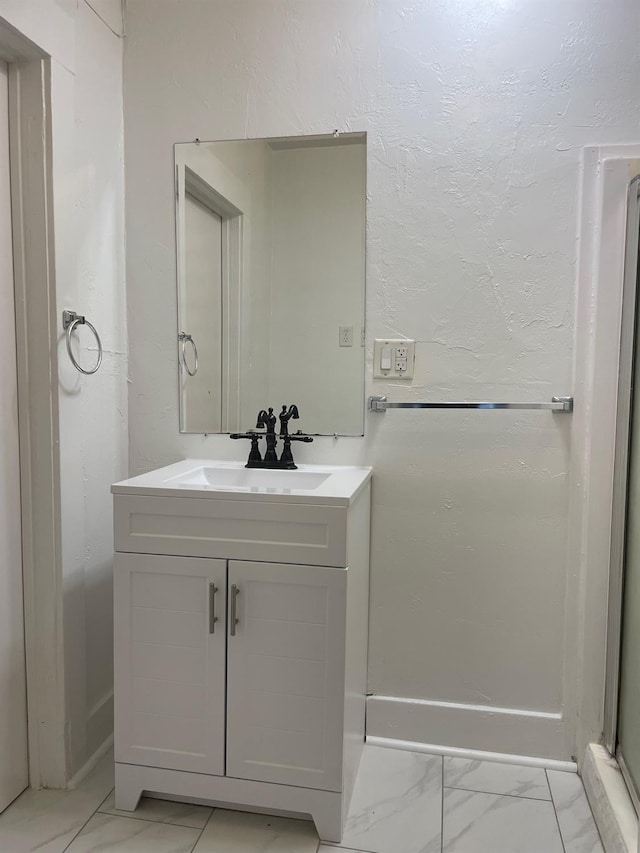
(325, 808)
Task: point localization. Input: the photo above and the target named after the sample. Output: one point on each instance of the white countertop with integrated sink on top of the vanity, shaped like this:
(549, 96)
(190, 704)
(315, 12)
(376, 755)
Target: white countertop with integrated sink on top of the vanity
(331, 485)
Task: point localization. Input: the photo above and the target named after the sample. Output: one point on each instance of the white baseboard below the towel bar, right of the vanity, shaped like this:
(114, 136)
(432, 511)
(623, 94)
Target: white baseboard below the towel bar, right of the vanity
(472, 728)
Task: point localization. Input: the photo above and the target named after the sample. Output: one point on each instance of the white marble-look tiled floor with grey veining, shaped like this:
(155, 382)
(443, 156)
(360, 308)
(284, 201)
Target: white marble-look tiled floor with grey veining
(404, 802)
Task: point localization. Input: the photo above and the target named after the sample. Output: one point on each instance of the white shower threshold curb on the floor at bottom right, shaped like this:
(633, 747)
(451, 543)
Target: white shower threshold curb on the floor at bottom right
(609, 799)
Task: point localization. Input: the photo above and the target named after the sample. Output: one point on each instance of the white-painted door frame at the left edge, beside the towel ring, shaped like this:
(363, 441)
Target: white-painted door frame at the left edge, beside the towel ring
(32, 202)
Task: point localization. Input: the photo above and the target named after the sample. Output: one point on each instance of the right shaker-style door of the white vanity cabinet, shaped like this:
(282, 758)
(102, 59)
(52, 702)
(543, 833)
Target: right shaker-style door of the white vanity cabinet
(286, 674)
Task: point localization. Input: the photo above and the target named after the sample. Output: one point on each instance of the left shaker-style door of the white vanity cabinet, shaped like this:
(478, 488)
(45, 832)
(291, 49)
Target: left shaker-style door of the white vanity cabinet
(170, 662)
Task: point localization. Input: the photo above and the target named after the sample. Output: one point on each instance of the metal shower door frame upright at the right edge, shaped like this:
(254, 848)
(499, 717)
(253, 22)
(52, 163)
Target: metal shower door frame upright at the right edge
(628, 367)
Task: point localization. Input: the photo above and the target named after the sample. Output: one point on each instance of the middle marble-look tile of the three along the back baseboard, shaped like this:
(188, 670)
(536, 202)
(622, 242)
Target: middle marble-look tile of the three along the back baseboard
(493, 778)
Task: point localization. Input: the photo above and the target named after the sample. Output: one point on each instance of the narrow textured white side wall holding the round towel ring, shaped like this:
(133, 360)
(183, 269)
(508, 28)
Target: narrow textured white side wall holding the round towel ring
(88, 198)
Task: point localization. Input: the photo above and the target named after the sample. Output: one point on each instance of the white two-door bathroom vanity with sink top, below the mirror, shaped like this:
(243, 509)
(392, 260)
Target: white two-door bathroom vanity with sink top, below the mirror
(241, 612)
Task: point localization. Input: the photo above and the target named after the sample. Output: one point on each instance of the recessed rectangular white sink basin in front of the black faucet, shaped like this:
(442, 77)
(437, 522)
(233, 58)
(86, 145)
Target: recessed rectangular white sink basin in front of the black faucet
(251, 479)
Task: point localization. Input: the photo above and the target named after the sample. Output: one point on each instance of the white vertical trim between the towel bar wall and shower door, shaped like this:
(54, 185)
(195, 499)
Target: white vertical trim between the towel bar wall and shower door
(606, 172)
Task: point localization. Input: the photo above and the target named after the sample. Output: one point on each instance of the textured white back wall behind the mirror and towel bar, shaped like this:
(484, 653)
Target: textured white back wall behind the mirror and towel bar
(476, 114)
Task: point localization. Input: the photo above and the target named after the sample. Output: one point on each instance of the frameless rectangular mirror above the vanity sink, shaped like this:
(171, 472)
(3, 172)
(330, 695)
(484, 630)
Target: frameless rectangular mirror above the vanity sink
(271, 292)
